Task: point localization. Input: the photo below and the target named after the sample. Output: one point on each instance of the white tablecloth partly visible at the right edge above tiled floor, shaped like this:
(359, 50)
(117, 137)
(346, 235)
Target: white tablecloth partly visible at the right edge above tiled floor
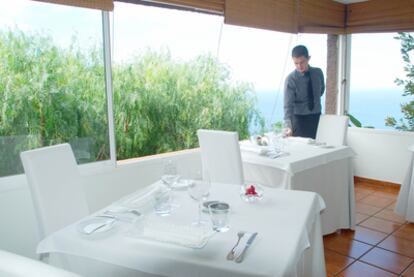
(405, 201)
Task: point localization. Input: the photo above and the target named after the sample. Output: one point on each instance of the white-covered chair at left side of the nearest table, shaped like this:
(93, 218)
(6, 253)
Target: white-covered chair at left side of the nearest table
(56, 187)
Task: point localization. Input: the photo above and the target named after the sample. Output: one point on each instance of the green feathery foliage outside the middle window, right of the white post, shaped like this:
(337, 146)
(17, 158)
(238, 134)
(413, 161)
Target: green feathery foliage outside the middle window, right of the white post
(160, 103)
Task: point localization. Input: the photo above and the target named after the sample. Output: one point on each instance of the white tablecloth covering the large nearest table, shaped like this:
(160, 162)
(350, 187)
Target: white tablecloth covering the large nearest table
(289, 242)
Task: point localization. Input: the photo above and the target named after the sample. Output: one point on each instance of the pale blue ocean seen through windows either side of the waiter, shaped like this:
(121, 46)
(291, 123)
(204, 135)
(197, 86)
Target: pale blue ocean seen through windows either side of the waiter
(370, 107)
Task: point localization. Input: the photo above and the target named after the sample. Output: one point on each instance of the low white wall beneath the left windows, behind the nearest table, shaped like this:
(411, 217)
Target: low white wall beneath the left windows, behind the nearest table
(104, 184)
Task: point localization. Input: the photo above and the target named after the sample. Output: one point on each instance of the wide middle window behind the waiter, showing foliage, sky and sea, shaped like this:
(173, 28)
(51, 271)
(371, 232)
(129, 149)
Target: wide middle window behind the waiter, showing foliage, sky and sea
(177, 71)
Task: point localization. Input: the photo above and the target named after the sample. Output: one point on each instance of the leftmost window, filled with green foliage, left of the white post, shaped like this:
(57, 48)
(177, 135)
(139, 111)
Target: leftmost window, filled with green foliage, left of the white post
(52, 83)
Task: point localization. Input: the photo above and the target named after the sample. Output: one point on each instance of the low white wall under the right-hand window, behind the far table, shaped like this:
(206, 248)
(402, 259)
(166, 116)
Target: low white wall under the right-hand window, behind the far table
(381, 154)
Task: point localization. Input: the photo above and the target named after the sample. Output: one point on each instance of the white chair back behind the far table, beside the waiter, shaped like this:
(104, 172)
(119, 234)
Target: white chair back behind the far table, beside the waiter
(332, 129)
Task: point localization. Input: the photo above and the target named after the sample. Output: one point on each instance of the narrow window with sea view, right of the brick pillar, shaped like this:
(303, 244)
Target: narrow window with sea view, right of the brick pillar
(376, 63)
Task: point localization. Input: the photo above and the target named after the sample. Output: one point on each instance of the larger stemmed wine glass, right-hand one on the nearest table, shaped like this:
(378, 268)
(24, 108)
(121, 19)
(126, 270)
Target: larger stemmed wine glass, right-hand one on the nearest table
(199, 190)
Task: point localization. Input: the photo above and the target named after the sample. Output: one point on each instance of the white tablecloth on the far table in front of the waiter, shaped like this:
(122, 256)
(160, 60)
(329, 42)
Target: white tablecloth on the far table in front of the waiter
(326, 171)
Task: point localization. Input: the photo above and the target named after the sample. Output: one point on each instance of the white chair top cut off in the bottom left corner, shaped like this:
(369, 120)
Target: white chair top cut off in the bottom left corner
(13, 265)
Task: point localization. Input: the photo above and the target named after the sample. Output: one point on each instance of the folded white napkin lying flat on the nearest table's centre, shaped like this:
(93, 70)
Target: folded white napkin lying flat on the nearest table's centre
(184, 235)
